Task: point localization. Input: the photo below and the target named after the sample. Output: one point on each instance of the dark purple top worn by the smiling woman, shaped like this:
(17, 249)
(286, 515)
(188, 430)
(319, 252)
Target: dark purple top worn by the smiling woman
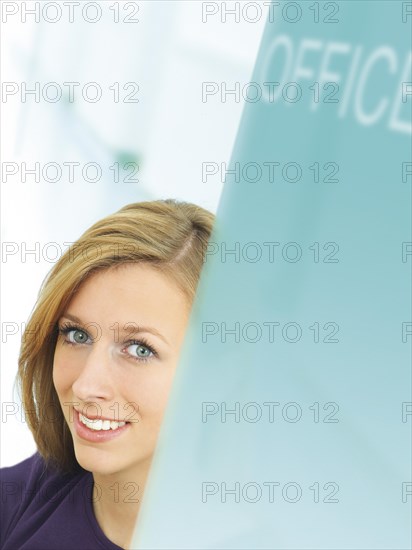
(43, 509)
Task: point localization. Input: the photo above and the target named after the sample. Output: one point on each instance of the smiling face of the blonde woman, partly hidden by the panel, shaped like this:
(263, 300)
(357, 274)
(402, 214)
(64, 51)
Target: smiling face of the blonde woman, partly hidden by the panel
(116, 354)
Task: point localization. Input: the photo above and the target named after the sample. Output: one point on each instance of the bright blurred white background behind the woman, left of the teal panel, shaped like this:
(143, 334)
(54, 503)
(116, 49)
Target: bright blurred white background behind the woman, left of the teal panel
(138, 151)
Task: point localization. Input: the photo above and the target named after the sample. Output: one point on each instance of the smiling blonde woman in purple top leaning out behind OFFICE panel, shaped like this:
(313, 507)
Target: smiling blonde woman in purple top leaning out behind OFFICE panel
(95, 369)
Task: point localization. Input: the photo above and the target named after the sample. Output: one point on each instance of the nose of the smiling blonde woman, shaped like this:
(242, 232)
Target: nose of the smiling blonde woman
(95, 382)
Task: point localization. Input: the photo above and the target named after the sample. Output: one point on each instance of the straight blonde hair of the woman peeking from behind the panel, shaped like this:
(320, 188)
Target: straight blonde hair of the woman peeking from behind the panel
(170, 235)
